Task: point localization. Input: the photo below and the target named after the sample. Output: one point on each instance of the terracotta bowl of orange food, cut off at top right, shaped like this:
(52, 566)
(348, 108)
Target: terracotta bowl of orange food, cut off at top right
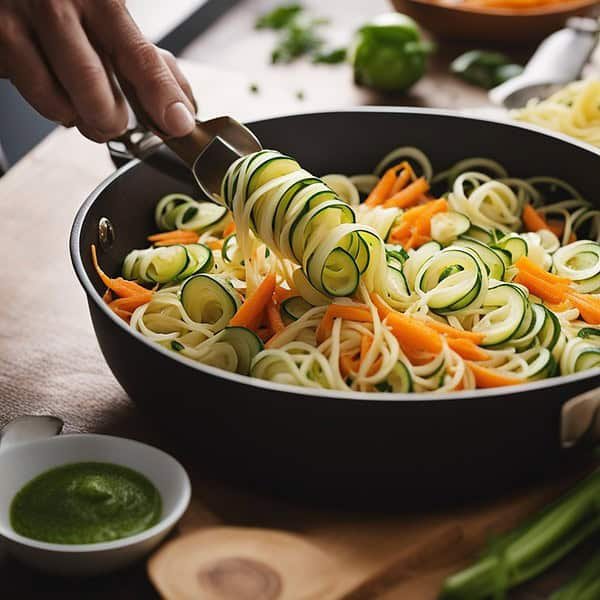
(495, 25)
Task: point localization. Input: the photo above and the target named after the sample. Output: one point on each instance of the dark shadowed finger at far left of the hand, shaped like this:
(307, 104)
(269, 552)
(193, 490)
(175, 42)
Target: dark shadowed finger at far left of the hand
(24, 66)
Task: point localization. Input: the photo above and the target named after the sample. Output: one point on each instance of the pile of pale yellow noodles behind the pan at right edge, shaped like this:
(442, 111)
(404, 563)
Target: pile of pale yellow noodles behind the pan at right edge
(573, 110)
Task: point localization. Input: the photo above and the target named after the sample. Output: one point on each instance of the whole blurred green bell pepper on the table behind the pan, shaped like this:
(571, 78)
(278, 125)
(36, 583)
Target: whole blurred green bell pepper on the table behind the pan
(389, 53)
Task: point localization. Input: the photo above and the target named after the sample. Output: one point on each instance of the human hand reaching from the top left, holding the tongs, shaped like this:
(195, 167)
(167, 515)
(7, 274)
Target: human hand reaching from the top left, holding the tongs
(65, 55)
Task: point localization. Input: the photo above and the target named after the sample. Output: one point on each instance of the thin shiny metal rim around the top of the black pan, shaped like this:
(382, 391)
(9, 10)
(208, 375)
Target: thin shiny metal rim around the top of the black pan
(331, 395)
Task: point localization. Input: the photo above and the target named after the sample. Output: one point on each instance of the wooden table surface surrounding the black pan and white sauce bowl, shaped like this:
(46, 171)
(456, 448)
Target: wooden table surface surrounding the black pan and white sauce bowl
(50, 362)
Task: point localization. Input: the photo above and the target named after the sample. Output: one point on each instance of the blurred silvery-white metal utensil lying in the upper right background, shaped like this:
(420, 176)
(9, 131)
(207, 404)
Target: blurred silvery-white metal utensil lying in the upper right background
(559, 60)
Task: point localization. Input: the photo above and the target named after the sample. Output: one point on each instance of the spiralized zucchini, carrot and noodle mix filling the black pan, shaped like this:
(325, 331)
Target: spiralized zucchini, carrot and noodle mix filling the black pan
(485, 280)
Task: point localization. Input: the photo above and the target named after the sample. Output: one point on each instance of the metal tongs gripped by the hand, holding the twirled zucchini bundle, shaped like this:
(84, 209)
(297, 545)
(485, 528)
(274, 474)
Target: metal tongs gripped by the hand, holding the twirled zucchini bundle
(208, 151)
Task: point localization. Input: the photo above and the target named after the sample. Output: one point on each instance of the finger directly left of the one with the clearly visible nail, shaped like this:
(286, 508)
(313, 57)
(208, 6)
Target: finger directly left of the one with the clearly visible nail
(100, 108)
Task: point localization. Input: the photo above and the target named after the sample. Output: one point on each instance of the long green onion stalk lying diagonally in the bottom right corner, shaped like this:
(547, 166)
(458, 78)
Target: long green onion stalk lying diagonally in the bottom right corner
(532, 548)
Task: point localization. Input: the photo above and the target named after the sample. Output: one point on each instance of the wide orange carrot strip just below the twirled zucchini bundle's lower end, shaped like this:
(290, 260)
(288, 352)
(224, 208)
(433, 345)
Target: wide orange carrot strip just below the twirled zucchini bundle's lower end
(413, 335)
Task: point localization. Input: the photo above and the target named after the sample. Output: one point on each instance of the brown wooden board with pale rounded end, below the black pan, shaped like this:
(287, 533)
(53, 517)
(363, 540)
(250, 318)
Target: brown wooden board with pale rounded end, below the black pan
(276, 551)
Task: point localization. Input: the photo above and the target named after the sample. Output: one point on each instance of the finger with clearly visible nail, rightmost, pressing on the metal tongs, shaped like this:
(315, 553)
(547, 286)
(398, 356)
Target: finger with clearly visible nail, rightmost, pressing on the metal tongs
(140, 64)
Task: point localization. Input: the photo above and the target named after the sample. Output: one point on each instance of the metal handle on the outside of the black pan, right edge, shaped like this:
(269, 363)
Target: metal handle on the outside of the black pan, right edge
(580, 419)
